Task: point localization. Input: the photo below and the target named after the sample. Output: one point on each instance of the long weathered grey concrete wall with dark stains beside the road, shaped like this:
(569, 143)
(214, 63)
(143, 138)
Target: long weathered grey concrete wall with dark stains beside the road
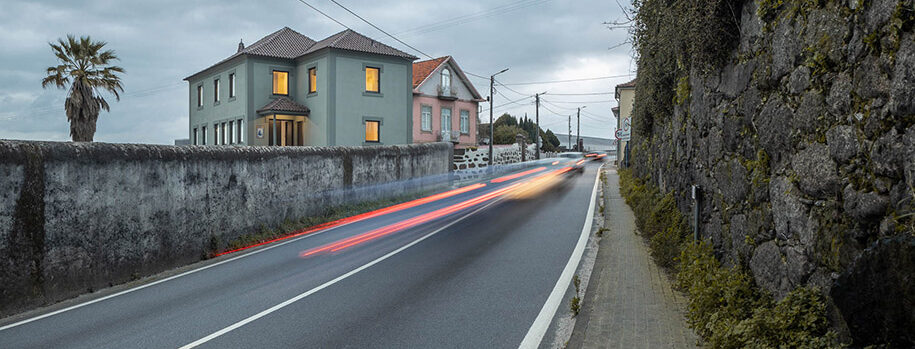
(81, 216)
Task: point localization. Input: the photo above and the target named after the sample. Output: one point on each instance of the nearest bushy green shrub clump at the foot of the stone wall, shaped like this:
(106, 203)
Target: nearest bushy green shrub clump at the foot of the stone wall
(729, 312)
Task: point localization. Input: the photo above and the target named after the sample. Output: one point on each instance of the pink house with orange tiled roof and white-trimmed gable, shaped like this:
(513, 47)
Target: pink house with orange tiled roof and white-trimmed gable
(445, 104)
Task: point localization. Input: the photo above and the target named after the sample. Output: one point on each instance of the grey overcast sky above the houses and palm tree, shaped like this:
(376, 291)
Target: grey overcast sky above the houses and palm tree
(161, 42)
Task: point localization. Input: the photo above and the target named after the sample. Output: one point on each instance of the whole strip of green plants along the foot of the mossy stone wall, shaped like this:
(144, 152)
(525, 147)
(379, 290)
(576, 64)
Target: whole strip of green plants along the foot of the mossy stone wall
(725, 307)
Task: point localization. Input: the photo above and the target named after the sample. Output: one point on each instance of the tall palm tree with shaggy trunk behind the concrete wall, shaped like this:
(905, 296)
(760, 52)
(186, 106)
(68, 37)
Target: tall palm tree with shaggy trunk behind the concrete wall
(86, 68)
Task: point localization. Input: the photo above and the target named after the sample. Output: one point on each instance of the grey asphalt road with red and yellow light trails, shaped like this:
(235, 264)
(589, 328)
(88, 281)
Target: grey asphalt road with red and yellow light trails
(419, 277)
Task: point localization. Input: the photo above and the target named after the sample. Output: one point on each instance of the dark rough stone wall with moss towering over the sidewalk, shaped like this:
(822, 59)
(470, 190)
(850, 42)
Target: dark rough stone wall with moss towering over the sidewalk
(804, 142)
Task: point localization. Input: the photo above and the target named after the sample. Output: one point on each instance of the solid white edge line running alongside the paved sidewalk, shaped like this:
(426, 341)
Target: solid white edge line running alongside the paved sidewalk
(542, 323)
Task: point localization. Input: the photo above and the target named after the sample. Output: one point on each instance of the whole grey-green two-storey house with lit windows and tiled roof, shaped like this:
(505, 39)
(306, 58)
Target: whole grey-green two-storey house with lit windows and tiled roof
(289, 90)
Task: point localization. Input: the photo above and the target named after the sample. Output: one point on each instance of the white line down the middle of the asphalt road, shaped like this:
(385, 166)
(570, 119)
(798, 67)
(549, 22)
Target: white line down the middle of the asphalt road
(329, 283)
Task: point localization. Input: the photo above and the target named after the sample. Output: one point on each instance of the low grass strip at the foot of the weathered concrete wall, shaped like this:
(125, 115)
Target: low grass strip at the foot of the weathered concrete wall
(290, 226)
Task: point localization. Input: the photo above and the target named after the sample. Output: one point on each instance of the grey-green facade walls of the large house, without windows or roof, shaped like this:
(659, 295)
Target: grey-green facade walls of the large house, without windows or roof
(338, 107)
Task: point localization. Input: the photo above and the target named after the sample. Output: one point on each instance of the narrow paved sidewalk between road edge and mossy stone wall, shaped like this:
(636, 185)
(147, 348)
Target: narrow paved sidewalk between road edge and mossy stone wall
(629, 302)
